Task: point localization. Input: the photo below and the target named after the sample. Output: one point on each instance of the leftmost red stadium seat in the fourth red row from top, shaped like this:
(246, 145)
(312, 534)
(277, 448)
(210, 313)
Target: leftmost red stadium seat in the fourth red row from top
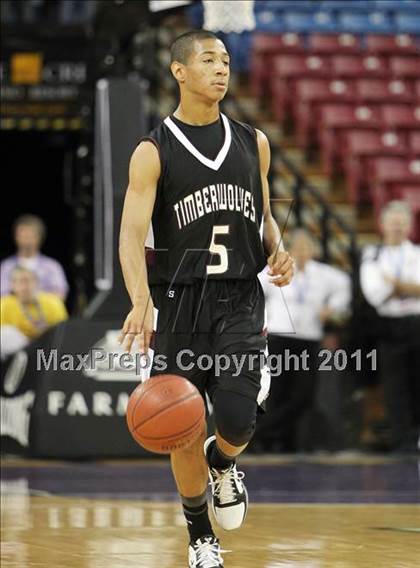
(338, 118)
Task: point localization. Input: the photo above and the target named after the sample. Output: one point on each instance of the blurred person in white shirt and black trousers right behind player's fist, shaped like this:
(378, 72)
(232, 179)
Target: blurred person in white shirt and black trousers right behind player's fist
(297, 315)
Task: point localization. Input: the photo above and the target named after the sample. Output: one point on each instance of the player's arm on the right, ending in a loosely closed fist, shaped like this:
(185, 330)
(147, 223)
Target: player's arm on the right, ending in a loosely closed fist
(279, 261)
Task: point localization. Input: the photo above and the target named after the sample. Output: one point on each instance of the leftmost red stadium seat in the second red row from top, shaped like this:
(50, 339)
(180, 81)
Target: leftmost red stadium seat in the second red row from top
(288, 68)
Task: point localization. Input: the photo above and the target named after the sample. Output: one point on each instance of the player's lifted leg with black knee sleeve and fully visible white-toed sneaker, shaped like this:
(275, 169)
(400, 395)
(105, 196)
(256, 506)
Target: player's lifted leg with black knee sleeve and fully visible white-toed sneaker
(236, 394)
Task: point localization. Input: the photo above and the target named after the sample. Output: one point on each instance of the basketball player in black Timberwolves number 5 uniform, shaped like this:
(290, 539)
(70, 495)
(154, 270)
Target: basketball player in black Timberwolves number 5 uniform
(200, 179)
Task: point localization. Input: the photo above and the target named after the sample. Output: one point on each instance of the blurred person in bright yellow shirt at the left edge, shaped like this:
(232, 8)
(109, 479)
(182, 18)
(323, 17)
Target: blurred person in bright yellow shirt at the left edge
(27, 313)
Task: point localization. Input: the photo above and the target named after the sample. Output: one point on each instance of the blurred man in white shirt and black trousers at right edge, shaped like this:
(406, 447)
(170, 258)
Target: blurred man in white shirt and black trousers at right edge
(390, 281)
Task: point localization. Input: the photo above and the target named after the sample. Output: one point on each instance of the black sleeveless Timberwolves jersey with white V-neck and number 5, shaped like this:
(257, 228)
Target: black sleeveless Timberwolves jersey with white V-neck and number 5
(207, 218)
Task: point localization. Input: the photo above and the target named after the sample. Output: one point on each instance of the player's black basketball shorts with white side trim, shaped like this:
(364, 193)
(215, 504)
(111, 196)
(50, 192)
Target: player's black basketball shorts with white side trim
(212, 333)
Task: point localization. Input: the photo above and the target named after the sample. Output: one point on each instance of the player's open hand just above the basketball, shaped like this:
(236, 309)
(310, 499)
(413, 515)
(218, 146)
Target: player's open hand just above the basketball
(138, 326)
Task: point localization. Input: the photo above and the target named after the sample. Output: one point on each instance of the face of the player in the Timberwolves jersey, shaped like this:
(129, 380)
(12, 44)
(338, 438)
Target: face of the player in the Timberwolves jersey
(207, 72)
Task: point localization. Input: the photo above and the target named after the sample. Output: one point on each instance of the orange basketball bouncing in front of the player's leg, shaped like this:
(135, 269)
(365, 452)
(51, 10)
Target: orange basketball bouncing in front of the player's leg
(165, 413)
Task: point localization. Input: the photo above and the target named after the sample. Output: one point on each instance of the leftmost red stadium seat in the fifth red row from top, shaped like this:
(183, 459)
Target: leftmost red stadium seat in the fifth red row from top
(361, 144)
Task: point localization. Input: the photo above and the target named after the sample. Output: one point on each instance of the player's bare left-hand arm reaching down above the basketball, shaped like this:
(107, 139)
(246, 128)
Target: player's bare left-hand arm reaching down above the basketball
(139, 201)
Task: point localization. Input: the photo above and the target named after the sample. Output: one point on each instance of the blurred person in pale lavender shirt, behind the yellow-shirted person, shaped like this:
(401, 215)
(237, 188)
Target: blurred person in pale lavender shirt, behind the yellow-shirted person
(29, 233)
